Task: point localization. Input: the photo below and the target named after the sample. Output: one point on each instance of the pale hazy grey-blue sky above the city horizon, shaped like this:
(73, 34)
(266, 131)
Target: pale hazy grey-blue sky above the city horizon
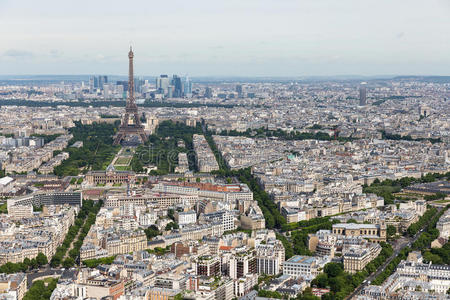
(226, 37)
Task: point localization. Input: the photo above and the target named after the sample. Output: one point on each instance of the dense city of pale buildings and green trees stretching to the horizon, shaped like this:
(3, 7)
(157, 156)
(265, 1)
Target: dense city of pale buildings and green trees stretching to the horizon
(332, 189)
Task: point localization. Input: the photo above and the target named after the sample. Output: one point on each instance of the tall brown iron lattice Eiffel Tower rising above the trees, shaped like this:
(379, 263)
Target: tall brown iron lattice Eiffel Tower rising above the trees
(131, 124)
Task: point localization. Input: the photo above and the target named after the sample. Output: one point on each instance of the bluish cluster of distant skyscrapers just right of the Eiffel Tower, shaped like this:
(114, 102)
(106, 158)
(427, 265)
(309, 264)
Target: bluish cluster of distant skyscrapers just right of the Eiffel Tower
(175, 87)
